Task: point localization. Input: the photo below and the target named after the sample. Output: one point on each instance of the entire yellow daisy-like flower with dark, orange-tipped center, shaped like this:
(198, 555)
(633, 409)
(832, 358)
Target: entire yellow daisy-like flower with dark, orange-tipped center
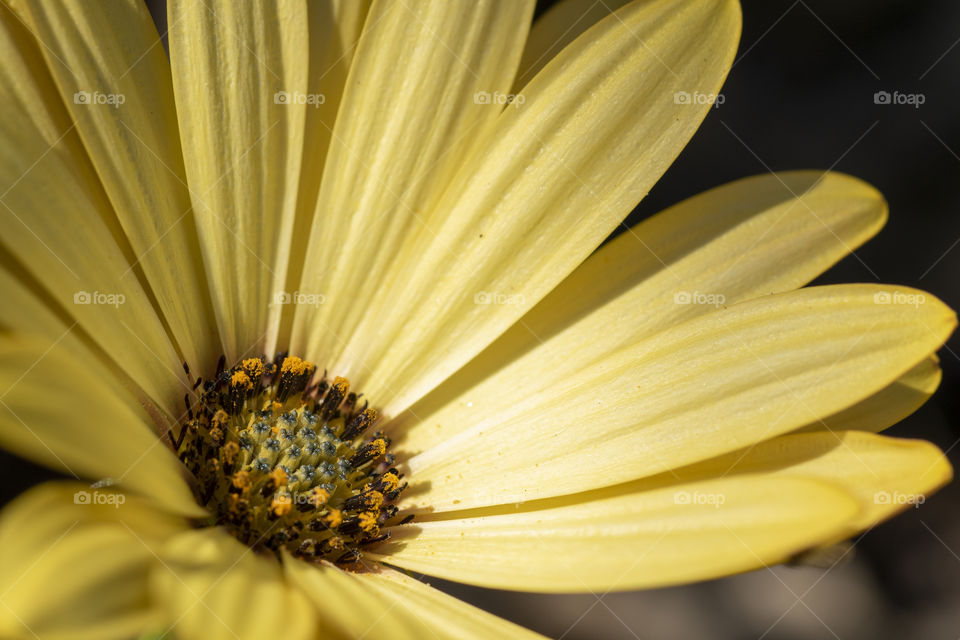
(410, 196)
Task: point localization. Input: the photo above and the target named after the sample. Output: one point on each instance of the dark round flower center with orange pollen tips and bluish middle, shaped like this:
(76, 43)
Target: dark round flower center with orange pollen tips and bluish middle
(281, 460)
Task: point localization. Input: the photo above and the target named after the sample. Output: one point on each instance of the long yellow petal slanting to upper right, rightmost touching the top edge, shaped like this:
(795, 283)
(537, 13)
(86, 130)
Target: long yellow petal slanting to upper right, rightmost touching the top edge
(597, 127)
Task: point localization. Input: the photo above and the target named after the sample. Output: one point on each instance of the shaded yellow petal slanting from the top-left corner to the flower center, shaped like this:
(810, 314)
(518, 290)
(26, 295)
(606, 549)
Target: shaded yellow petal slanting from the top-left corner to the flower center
(114, 53)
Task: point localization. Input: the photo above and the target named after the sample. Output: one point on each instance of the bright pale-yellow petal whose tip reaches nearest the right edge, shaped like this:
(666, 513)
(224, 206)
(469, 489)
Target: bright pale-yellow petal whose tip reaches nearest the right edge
(708, 386)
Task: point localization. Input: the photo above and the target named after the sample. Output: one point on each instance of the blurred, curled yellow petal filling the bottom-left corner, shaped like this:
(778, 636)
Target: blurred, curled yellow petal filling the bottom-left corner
(75, 563)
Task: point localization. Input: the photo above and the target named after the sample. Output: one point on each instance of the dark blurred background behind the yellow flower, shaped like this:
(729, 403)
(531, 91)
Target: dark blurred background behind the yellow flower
(801, 95)
